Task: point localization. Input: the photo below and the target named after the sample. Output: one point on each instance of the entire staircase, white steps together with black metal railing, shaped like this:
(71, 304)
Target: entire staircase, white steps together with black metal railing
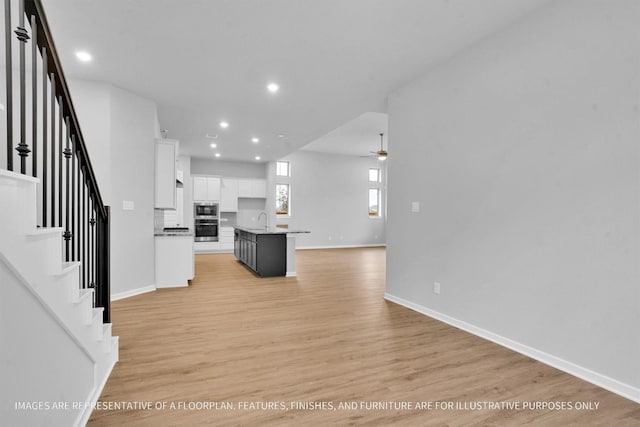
(56, 347)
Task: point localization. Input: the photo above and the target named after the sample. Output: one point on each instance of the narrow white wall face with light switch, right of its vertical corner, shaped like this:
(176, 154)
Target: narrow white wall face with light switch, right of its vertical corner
(132, 178)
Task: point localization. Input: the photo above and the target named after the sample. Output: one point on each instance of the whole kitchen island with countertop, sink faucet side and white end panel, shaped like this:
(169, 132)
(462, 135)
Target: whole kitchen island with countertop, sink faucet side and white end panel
(267, 251)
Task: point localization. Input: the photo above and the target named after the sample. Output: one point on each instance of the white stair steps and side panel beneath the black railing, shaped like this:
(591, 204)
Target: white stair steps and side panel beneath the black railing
(55, 346)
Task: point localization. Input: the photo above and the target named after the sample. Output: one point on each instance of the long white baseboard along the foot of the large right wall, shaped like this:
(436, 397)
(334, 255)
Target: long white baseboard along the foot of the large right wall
(614, 386)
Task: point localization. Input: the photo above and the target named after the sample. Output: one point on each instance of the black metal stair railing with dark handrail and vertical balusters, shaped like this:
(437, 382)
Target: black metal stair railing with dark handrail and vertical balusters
(49, 133)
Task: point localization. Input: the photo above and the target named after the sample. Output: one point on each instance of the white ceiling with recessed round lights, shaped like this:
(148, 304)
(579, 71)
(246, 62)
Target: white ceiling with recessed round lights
(203, 61)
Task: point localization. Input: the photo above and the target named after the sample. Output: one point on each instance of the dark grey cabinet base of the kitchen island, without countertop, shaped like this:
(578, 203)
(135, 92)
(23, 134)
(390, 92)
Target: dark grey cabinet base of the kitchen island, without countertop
(265, 254)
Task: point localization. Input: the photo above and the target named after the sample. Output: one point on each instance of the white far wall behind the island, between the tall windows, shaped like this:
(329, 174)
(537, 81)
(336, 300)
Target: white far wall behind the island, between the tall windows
(329, 197)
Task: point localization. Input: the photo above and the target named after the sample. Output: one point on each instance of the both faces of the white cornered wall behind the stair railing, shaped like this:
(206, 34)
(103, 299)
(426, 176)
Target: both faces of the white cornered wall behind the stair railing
(119, 129)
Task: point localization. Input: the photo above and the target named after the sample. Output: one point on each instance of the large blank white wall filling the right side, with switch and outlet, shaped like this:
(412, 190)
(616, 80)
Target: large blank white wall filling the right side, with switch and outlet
(524, 154)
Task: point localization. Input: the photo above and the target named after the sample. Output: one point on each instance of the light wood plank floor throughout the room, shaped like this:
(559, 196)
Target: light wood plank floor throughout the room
(326, 336)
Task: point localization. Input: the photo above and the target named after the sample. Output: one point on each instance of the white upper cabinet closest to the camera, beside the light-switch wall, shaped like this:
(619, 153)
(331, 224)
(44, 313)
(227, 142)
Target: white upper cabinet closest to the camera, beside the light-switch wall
(165, 174)
